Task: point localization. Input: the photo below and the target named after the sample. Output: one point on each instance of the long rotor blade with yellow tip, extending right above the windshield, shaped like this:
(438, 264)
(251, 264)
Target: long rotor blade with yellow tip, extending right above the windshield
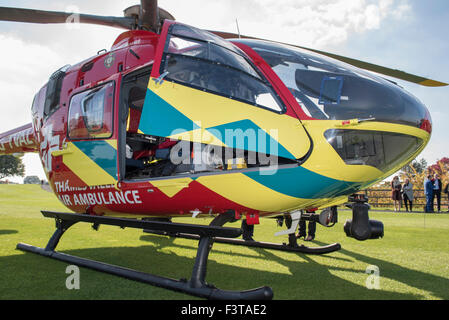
(357, 63)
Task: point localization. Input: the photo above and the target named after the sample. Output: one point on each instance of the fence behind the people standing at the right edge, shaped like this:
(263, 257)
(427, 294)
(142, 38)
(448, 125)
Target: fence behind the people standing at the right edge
(381, 198)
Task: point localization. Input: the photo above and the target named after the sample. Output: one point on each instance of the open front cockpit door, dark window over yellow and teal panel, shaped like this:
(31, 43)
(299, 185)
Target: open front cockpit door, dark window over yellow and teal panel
(204, 89)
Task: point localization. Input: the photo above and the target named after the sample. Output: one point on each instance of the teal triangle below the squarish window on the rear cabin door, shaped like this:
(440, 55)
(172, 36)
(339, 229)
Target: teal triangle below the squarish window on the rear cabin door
(100, 152)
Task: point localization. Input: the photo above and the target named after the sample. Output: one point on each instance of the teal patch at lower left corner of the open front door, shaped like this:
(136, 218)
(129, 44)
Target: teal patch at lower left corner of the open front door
(160, 118)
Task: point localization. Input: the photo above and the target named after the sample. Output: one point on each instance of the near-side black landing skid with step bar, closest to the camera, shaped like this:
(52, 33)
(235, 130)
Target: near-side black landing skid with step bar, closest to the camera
(196, 286)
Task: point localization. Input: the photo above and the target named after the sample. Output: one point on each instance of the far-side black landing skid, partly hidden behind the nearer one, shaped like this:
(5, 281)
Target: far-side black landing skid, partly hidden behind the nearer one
(256, 244)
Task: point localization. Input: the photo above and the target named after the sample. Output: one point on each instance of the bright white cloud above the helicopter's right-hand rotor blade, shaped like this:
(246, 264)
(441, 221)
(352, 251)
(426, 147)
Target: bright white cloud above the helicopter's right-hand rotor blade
(317, 23)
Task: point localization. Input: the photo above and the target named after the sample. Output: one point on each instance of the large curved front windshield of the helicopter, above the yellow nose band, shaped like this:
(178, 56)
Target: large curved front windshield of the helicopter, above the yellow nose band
(328, 89)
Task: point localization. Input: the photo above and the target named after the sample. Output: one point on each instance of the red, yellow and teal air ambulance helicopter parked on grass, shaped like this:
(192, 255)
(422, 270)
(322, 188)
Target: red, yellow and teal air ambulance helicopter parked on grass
(176, 121)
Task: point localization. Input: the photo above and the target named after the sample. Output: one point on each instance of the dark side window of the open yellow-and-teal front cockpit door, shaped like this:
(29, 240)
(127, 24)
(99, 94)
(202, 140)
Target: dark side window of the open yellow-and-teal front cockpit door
(206, 62)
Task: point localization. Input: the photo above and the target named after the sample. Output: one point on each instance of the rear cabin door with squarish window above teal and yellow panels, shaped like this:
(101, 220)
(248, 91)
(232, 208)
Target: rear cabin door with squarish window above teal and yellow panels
(91, 149)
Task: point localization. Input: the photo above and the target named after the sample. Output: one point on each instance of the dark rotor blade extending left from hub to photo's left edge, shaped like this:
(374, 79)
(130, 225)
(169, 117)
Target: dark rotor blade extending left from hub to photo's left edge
(41, 16)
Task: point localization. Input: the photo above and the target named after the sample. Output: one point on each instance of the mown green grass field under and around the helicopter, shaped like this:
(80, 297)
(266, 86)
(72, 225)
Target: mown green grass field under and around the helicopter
(413, 258)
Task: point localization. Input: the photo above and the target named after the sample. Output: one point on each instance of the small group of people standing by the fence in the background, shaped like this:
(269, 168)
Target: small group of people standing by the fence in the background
(433, 188)
